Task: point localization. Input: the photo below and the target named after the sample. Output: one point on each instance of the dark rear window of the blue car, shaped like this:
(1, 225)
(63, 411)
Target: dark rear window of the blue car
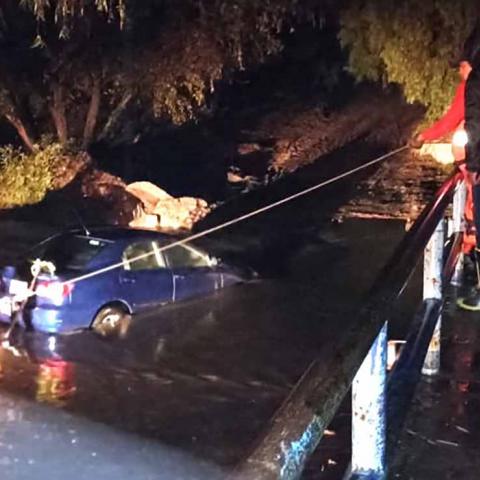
(71, 252)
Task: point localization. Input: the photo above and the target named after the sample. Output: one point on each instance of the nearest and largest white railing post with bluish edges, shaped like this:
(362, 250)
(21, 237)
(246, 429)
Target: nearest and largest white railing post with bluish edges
(368, 413)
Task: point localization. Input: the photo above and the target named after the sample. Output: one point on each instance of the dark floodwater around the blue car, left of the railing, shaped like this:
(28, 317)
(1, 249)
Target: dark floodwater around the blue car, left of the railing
(193, 384)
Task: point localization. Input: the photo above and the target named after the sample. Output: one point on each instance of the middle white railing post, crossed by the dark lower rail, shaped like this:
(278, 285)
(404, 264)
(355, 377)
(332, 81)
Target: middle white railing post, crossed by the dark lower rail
(432, 289)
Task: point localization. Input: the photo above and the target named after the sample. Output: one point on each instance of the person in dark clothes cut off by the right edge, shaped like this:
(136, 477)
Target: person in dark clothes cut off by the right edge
(472, 128)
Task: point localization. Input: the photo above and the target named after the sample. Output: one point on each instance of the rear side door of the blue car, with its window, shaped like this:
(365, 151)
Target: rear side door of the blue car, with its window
(145, 279)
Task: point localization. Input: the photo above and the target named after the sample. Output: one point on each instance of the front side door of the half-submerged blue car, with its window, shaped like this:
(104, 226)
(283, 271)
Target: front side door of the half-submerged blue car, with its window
(194, 272)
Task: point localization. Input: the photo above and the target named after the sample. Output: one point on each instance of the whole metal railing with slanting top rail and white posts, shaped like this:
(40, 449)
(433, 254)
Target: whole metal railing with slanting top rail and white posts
(379, 405)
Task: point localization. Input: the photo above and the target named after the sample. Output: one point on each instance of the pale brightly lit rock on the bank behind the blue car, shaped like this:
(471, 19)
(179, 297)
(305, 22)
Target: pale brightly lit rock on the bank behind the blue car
(164, 212)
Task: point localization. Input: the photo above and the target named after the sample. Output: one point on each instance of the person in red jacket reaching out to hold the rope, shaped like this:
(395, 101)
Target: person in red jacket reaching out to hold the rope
(453, 121)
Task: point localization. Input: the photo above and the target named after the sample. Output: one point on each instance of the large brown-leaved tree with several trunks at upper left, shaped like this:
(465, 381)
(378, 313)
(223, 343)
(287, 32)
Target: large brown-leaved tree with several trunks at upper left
(71, 68)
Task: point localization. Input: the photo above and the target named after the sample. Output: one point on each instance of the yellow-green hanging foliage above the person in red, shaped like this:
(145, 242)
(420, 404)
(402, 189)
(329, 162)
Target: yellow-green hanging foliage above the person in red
(410, 43)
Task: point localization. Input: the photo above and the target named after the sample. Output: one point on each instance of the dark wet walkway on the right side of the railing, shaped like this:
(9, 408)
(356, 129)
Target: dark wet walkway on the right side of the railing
(442, 433)
